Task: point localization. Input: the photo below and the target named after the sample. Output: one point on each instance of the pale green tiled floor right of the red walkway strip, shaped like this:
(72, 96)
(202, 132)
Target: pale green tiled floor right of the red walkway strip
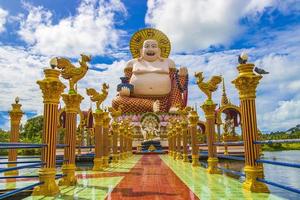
(211, 186)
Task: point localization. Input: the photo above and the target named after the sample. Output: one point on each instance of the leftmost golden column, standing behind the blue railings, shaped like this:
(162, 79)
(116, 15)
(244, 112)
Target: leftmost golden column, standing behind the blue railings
(15, 118)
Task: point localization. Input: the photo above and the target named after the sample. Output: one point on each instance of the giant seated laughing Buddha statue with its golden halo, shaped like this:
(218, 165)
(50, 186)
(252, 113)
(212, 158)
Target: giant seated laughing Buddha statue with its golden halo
(151, 83)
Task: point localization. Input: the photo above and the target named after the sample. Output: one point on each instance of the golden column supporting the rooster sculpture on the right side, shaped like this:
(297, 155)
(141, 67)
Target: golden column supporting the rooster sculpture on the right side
(209, 110)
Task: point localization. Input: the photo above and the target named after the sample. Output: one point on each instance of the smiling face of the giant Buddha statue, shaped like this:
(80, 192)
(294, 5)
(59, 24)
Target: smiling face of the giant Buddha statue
(150, 50)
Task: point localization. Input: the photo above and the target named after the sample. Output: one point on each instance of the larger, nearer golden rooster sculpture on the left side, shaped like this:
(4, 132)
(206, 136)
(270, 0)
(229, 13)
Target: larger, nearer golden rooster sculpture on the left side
(69, 71)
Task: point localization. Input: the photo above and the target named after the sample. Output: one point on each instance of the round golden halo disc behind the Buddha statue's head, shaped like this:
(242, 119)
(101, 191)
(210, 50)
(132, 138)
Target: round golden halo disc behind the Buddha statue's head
(138, 38)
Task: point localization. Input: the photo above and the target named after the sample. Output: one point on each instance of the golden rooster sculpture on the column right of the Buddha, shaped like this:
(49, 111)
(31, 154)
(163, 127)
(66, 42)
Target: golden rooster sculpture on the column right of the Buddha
(210, 86)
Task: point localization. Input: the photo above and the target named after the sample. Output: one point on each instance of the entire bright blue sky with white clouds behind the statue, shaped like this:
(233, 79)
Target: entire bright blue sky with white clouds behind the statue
(205, 36)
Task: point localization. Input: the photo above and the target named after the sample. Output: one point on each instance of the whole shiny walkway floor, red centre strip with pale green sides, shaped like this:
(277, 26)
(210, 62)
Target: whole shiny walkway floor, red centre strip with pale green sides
(151, 177)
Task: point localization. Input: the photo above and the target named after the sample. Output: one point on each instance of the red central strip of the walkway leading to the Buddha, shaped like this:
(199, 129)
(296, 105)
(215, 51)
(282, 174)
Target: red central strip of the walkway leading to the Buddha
(151, 179)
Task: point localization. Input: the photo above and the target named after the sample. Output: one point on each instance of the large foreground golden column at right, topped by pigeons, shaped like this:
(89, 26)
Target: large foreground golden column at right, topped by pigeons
(246, 83)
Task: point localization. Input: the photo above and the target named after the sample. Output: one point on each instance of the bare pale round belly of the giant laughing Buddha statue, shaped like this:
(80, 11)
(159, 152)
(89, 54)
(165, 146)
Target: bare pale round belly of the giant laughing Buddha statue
(151, 84)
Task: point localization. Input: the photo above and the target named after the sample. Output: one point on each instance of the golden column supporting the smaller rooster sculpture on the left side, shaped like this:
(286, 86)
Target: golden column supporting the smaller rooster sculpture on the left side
(98, 160)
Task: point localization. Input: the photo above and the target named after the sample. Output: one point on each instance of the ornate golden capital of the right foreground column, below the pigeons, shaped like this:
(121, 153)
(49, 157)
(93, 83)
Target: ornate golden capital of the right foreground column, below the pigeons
(247, 81)
